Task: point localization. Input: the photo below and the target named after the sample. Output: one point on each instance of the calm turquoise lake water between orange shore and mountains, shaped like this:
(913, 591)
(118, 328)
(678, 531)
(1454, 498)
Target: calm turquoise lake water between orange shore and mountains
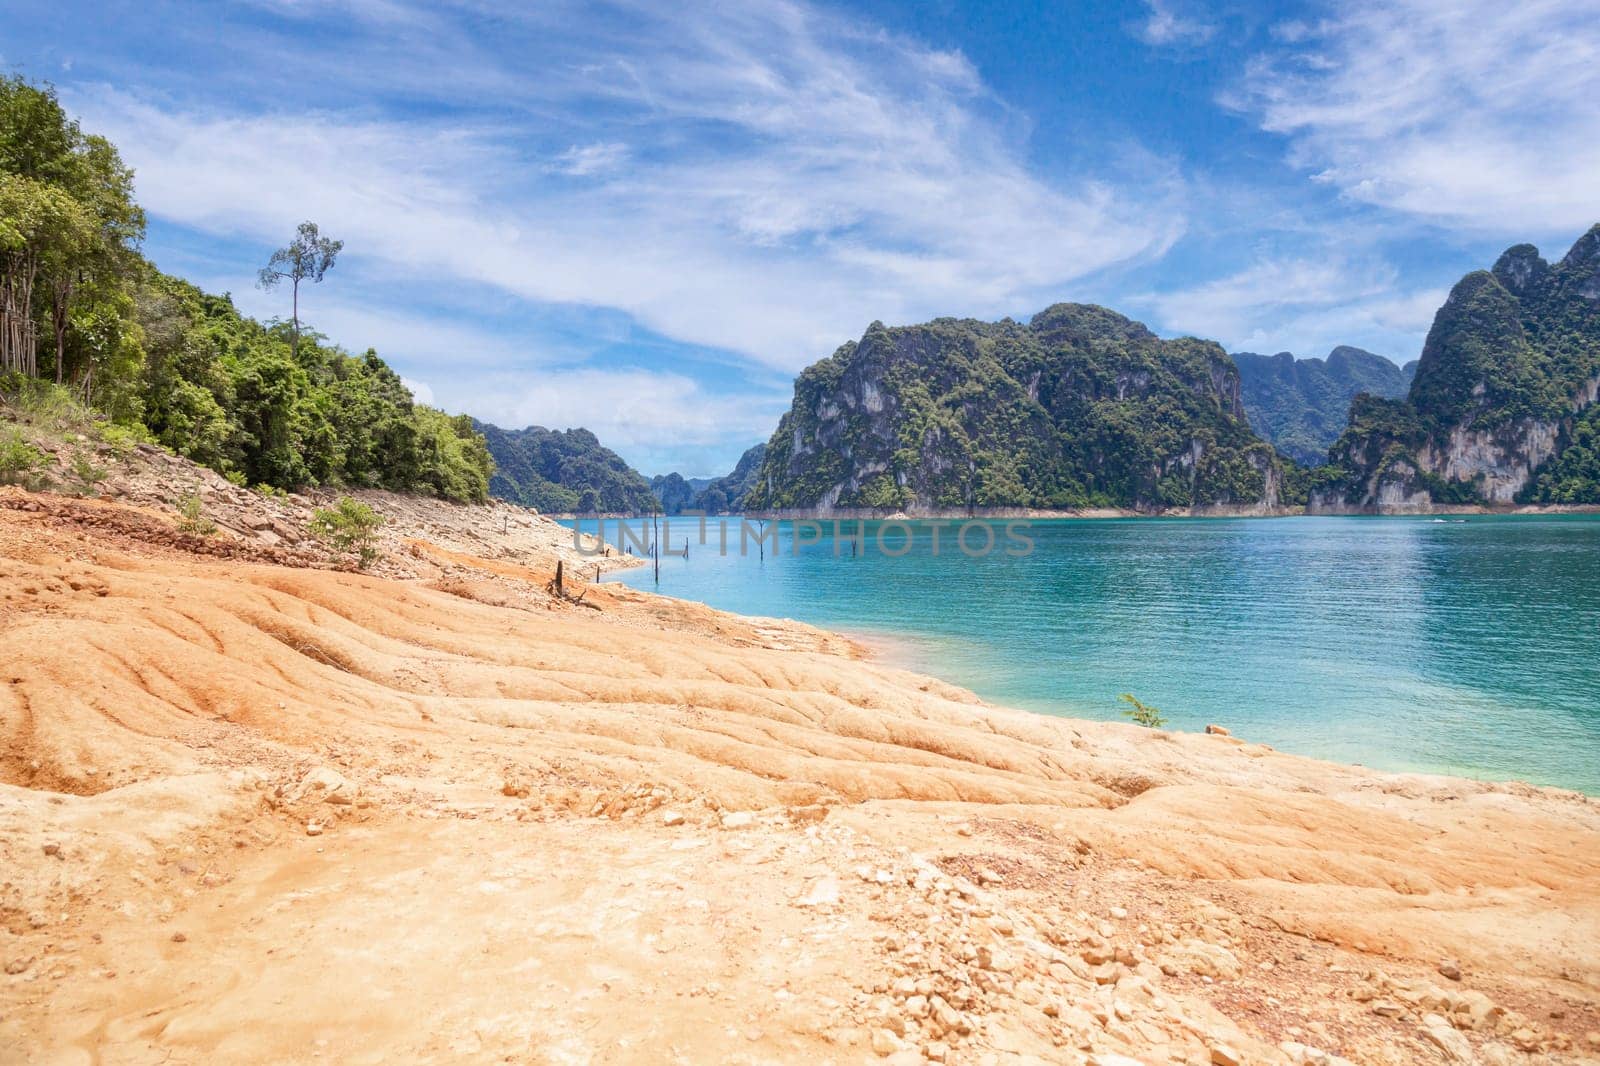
(1458, 646)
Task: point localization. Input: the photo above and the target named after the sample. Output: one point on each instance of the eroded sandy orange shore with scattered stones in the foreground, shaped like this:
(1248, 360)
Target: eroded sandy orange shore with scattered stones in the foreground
(254, 811)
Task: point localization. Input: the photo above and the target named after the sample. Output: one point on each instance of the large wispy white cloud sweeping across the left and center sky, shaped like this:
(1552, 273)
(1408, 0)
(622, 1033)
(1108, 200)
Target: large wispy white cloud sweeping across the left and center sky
(788, 177)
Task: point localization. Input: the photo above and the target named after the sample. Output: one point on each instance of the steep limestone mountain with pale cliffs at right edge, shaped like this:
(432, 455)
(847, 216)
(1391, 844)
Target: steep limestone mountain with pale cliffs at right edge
(1503, 406)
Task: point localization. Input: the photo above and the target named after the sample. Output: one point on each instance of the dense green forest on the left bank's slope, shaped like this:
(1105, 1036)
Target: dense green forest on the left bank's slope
(265, 404)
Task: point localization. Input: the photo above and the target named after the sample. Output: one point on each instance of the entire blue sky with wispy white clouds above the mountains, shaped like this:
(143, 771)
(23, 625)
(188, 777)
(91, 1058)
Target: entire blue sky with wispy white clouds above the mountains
(646, 218)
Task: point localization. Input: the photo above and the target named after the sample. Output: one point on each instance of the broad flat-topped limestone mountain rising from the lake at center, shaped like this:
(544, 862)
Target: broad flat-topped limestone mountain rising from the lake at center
(1078, 409)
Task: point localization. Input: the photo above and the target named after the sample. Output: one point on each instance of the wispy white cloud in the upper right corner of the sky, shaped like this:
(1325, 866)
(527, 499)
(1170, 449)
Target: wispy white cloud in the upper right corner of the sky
(1473, 113)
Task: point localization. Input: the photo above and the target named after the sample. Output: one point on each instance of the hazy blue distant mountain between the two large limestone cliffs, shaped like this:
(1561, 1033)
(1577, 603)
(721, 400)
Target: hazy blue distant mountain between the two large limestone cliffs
(1302, 406)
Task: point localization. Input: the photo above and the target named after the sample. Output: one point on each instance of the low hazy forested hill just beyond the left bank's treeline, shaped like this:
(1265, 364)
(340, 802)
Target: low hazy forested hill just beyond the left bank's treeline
(559, 473)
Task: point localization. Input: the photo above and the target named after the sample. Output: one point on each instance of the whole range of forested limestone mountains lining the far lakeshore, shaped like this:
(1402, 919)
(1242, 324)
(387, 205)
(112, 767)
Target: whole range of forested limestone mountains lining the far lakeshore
(1082, 407)
